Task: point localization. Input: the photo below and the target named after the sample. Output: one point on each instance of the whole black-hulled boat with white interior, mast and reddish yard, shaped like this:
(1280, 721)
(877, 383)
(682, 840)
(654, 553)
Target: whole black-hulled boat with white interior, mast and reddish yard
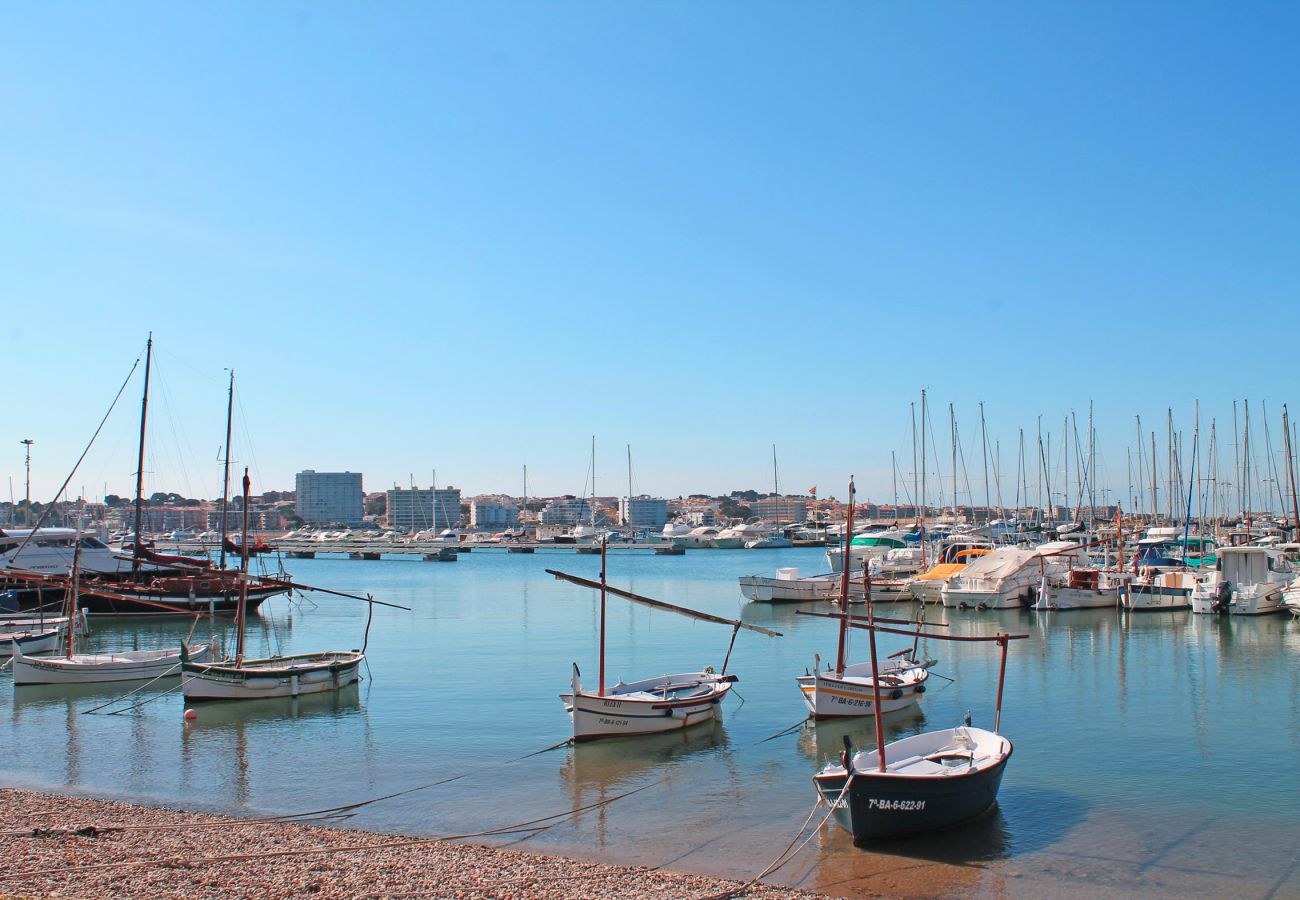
(920, 784)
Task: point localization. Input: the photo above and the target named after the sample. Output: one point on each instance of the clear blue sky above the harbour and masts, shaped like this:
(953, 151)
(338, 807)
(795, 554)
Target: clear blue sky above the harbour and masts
(460, 239)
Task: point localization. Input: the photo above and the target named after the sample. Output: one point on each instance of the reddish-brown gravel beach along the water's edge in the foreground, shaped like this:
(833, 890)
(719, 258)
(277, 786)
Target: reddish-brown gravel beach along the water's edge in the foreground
(79, 847)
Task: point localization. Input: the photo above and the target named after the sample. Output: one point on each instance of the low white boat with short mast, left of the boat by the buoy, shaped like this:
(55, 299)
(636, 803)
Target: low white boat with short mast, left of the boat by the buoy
(75, 668)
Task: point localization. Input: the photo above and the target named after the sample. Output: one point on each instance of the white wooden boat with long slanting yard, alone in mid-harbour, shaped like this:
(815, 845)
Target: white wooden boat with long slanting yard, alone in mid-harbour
(653, 706)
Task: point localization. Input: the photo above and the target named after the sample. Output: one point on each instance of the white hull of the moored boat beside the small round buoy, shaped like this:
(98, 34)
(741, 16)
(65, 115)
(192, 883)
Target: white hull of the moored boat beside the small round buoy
(276, 677)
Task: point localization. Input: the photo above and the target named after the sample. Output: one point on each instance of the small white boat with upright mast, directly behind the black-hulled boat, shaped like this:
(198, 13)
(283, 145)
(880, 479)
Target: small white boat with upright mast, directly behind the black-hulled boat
(857, 690)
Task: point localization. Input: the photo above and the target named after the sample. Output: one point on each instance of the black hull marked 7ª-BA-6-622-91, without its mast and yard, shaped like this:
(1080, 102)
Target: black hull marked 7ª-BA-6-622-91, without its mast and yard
(882, 807)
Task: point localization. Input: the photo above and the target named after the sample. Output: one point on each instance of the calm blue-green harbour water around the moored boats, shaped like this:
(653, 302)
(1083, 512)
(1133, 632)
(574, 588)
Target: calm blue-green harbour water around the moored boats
(1155, 752)
